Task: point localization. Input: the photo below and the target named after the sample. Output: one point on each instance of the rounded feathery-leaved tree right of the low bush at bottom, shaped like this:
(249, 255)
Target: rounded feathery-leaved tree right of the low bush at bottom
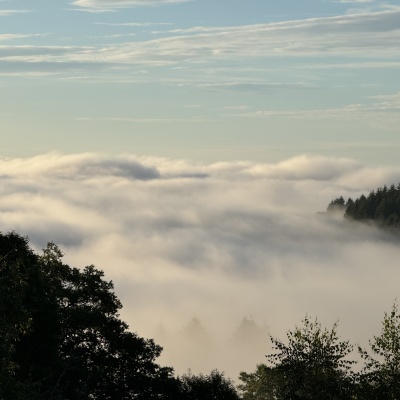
(313, 365)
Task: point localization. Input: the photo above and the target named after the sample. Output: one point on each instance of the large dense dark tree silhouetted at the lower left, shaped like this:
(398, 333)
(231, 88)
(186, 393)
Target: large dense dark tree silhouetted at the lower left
(61, 336)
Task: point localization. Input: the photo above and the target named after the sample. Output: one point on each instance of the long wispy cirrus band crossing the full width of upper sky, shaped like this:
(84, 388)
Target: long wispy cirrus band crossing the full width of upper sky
(366, 35)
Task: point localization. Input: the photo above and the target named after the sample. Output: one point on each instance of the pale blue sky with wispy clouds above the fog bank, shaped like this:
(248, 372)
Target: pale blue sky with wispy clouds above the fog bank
(203, 80)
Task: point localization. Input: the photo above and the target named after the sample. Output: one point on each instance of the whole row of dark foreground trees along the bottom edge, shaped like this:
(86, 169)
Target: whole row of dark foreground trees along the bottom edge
(61, 338)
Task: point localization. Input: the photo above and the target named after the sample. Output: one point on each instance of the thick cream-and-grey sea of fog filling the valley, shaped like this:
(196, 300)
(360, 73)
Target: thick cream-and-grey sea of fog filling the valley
(209, 259)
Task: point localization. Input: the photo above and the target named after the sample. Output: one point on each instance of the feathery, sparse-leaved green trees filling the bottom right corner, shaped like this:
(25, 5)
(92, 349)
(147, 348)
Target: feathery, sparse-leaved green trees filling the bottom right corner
(314, 365)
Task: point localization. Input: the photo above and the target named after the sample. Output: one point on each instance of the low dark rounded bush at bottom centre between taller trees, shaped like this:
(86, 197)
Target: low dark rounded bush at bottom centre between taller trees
(207, 387)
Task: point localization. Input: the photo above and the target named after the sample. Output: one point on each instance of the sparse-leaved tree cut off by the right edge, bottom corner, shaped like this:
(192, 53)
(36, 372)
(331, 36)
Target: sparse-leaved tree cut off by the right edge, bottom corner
(380, 377)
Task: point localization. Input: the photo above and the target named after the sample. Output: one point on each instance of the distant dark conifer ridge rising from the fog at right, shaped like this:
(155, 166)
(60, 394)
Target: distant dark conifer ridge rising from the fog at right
(381, 206)
